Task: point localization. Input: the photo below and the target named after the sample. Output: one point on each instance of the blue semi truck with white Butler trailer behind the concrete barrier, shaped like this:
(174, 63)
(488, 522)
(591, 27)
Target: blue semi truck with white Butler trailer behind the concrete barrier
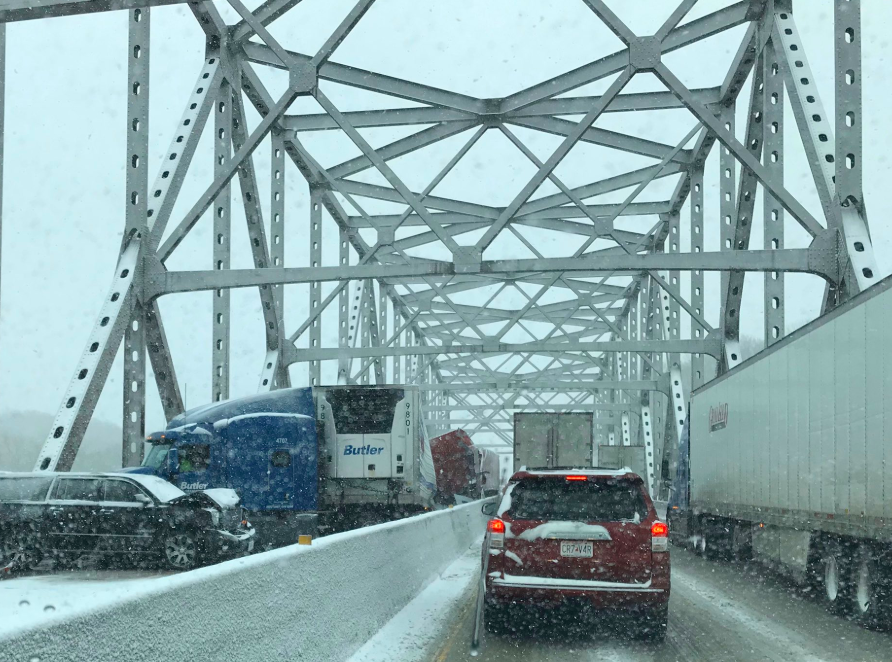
(304, 460)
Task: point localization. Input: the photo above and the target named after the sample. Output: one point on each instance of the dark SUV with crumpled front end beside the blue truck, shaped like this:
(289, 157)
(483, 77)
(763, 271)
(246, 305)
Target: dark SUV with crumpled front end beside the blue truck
(66, 516)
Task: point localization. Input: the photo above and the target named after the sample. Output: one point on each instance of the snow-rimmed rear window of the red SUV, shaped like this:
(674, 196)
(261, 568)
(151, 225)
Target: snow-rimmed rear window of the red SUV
(610, 500)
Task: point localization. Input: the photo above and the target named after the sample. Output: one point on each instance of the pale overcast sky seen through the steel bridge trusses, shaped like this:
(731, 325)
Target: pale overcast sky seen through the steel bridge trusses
(65, 149)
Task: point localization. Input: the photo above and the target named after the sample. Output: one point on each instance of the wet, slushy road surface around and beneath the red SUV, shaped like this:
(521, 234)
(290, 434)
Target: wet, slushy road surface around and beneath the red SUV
(718, 611)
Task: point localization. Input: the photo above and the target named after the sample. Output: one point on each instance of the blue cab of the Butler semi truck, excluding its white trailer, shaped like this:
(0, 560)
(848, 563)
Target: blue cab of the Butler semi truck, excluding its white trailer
(265, 447)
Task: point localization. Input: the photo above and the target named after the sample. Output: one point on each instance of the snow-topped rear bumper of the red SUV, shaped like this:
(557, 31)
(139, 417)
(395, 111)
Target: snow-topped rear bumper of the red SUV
(546, 590)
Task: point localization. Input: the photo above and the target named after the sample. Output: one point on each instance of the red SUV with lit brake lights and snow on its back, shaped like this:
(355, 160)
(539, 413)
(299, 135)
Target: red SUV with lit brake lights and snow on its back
(588, 536)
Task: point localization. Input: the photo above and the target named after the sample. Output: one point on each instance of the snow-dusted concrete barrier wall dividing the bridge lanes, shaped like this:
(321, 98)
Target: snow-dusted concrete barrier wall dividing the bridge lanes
(320, 602)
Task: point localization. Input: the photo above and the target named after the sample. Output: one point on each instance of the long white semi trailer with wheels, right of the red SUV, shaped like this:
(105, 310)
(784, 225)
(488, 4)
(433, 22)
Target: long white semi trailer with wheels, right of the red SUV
(790, 459)
